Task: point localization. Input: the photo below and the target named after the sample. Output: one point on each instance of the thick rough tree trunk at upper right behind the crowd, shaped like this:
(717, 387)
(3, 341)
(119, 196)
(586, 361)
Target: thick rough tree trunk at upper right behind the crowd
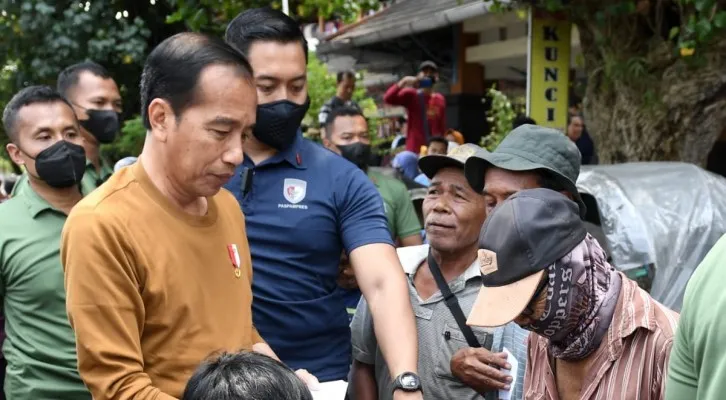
(671, 112)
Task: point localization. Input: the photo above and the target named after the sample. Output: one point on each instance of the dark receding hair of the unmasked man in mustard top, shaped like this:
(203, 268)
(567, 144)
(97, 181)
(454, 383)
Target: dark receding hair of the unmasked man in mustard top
(173, 68)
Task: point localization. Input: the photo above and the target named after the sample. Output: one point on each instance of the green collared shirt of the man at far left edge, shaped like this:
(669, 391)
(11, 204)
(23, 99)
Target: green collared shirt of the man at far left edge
(39, 347)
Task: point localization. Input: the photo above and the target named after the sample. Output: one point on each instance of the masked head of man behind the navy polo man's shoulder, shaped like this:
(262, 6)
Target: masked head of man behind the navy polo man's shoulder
(346, 133)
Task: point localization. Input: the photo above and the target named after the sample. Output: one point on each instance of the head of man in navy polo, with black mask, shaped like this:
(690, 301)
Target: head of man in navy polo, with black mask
(278, 52)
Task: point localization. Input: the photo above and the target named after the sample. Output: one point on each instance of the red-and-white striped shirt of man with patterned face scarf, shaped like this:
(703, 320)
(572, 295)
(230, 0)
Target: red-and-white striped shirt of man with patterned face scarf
(630, 364)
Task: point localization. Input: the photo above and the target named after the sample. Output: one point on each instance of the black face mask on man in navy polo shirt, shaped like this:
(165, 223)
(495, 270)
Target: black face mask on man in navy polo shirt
(278, 122)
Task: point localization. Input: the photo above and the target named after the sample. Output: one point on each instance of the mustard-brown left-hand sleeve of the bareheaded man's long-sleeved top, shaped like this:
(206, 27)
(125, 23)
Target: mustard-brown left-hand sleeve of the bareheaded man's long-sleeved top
(105, 308)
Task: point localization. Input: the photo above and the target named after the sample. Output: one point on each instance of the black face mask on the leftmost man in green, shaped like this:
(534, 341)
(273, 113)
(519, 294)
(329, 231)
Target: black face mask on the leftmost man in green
(61, 165)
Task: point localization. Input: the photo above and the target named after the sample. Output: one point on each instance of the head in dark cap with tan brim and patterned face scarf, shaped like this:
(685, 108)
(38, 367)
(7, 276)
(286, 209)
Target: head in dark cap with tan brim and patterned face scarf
(542, 270)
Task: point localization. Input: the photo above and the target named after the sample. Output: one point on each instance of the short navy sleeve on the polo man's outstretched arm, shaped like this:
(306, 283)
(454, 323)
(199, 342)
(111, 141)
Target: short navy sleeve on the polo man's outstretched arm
(361, 216)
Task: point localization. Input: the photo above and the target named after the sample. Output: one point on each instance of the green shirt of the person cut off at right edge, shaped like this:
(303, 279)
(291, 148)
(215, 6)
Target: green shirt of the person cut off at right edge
(697, 369)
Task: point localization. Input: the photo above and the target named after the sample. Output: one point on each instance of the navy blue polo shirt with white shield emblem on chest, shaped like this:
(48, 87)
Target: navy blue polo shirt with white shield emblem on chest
(303, 207)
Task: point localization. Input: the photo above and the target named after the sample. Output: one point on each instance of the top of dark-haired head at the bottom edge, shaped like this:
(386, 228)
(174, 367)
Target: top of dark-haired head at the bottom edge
(245, 376)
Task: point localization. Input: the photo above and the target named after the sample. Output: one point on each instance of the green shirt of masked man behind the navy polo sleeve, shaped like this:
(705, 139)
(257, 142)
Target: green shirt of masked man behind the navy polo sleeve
(402, 218)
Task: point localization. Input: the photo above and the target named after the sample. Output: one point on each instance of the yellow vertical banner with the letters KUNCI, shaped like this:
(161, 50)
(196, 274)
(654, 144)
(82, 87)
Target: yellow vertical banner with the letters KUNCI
(548, 74)
